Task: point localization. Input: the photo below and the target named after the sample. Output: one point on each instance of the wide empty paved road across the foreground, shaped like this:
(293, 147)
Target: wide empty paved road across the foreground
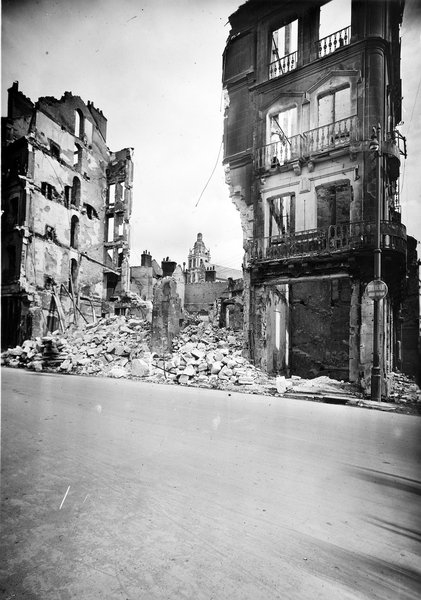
(125, 490)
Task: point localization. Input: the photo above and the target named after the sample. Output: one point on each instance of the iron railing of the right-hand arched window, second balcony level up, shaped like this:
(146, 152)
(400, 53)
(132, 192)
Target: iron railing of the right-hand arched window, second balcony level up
(329, 137)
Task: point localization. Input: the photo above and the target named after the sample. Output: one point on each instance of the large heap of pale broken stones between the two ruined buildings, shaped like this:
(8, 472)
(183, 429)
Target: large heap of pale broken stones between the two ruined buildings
(202, 355)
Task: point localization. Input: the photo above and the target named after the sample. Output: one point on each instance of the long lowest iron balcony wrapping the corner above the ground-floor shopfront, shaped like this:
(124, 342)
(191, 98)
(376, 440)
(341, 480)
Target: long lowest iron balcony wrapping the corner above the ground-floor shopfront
(344, 237)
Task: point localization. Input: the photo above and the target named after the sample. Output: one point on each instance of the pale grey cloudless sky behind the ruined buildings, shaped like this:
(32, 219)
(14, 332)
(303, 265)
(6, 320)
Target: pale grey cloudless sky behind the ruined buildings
(154, 68)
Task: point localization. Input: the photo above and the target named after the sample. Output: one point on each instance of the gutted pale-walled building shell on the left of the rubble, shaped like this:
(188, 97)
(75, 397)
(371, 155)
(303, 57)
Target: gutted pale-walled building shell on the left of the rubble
(66, 204)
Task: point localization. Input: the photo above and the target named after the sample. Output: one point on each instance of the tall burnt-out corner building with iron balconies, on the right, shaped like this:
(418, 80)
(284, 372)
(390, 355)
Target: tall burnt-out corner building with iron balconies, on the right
(305, 83)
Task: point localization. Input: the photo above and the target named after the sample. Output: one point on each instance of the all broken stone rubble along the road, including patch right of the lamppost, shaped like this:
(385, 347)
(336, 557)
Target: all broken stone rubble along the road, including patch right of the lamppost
(203, 355)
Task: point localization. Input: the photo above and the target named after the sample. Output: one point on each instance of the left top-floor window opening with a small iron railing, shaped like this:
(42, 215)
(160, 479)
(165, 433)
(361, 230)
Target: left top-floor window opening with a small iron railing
(284, 45)
